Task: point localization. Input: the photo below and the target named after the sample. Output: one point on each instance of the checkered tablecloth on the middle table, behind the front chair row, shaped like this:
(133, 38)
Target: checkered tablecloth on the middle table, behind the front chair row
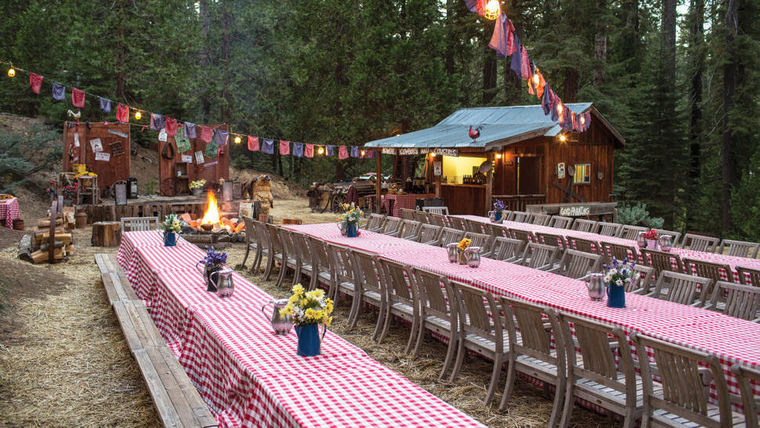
(696, 328)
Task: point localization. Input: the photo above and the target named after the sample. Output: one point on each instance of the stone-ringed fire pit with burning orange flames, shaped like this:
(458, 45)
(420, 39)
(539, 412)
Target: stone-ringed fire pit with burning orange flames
(212, 227)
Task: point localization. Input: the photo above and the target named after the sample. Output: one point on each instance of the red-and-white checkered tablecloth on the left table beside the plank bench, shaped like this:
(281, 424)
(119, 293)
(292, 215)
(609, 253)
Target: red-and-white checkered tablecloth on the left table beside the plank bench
(251, 377)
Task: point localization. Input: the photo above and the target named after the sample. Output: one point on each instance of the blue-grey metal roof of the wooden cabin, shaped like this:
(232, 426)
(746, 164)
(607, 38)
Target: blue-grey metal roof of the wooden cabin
(499, 126)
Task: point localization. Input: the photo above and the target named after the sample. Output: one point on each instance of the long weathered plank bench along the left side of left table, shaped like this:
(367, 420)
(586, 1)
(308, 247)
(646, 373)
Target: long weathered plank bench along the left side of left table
(176, 399)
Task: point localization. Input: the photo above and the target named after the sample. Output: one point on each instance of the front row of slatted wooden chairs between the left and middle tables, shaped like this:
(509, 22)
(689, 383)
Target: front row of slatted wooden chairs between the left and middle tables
(581, 365)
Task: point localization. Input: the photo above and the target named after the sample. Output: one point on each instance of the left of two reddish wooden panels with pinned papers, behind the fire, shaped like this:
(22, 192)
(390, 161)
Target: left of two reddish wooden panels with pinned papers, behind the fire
(114, 140)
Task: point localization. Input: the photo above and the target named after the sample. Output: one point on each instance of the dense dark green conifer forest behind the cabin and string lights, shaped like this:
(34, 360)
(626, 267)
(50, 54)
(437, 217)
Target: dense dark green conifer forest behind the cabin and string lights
(680, 80)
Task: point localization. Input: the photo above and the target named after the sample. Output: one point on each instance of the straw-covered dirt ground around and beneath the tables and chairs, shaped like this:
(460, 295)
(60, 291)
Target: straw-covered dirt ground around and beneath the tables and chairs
(64, 361)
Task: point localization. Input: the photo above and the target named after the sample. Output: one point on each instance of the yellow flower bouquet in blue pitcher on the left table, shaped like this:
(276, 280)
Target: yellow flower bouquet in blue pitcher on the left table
(307, 310)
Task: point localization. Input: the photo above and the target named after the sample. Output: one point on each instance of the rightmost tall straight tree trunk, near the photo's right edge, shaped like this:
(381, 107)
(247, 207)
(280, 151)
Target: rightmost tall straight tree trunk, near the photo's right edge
(728, 172)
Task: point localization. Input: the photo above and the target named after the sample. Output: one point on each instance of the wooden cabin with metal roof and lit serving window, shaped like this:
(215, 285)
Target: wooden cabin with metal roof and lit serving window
(521, 157)
